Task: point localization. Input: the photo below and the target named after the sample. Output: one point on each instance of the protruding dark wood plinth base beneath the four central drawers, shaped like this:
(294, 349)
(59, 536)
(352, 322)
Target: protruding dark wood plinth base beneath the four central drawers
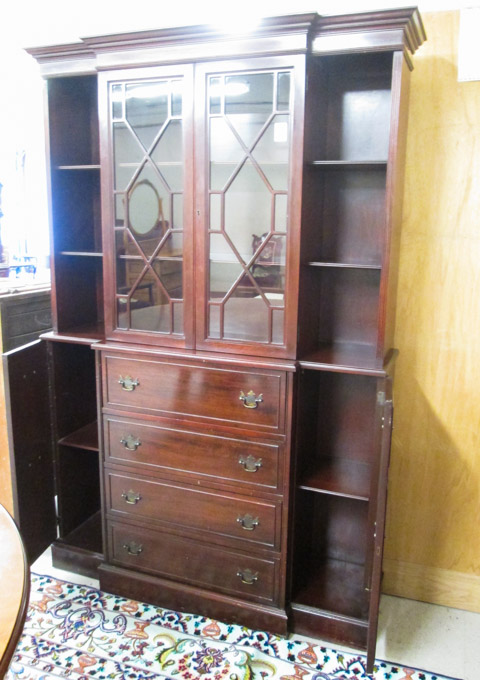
(185, 598)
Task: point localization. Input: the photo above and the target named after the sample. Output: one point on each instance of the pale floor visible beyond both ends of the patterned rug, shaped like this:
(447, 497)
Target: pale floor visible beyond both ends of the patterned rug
(411, 634)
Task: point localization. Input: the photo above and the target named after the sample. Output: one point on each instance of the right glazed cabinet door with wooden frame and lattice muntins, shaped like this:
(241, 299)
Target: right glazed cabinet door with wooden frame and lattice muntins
(248, 168)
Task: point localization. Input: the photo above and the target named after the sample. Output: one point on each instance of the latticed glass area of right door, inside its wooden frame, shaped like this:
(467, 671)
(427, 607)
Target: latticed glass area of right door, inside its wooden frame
(249, 155)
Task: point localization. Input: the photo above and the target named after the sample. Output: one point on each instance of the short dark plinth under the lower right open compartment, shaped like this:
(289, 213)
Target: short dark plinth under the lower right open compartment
(328, 626)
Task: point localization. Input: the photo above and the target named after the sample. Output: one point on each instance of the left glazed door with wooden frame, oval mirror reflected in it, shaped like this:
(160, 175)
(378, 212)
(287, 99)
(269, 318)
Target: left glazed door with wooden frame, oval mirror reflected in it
(146, 153)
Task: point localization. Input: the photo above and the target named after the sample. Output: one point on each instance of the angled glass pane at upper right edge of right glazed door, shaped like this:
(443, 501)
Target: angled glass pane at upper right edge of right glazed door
(272, 152)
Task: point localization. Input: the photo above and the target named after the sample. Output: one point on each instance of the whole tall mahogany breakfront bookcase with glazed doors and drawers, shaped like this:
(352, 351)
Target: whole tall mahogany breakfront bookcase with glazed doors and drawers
(225, 216)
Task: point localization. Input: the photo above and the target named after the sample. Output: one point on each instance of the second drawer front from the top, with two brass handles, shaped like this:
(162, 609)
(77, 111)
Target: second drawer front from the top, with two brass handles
(151, 448)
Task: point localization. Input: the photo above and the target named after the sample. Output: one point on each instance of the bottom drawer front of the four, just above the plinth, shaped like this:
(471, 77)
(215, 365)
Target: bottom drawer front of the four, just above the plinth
(189, 561)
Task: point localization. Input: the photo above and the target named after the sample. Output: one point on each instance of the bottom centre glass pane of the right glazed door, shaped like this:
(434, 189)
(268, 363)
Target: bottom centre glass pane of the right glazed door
(246, 319)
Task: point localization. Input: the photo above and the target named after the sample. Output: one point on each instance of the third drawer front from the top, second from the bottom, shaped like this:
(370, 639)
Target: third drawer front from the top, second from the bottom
(221, 515)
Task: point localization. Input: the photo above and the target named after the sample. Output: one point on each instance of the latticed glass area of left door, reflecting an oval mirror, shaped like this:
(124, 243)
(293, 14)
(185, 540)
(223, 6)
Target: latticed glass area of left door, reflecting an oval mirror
(148, 166)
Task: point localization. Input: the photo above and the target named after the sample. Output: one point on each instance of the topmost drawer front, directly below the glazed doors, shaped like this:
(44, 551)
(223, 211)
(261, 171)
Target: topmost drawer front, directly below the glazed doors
(200, 391)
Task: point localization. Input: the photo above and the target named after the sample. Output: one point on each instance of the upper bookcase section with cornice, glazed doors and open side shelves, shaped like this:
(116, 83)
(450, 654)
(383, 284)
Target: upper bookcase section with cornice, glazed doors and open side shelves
(250, 185)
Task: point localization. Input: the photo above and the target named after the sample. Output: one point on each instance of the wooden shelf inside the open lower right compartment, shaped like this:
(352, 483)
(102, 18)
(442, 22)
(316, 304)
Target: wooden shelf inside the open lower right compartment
(339, 477)
